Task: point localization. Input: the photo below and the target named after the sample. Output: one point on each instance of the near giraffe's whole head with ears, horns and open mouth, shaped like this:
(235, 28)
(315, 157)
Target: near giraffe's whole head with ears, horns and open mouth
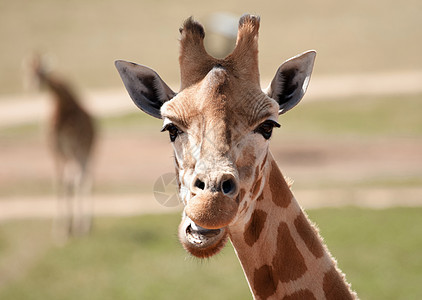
(219, 123)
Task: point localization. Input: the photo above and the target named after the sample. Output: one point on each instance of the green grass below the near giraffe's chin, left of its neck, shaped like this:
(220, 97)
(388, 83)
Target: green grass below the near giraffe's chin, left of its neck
(136, 258)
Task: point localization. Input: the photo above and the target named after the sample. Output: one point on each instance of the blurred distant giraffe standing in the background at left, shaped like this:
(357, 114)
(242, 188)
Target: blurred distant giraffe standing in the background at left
(71, 137)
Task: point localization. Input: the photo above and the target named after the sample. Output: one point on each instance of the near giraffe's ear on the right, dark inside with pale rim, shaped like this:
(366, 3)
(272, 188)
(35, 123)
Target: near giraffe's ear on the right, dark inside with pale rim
(291, 81)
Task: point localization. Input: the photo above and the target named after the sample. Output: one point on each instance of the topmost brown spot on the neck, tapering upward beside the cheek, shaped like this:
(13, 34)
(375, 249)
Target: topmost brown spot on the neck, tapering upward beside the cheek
(280, 192)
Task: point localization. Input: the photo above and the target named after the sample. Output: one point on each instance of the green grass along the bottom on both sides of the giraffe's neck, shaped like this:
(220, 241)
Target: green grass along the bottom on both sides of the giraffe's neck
(140, 258)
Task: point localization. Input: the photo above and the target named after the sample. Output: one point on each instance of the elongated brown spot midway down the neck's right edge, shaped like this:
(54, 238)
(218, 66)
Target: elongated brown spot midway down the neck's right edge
(309, 235)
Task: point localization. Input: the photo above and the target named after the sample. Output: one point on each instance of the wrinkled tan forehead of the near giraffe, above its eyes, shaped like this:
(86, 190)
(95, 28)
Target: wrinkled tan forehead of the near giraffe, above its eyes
(222, 101)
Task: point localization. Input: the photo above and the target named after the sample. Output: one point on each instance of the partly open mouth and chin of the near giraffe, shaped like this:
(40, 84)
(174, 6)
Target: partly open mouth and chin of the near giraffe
(199, 241)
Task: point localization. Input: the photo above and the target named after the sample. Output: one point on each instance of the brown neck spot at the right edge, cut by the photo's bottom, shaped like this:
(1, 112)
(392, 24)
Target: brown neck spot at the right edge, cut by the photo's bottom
(335, 287)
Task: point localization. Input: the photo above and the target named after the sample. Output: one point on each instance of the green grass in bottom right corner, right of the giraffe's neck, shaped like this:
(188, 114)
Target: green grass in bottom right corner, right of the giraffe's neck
(379, 250)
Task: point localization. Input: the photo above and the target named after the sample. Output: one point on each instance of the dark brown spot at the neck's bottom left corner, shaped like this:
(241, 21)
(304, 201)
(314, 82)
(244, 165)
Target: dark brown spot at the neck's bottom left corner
(264, 284)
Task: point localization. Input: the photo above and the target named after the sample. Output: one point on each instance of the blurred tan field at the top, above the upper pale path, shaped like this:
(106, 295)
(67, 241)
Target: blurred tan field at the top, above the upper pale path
(85, 37)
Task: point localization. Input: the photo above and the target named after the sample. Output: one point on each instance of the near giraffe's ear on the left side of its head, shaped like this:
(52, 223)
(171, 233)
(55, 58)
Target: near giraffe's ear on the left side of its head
(145, 87)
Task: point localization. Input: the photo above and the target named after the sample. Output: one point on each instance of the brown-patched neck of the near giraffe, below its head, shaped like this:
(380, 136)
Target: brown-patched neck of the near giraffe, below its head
(280, 251)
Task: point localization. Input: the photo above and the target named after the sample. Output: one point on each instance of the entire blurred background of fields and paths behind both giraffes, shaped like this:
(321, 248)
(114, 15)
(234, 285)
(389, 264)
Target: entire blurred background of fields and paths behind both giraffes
(353, 145)
